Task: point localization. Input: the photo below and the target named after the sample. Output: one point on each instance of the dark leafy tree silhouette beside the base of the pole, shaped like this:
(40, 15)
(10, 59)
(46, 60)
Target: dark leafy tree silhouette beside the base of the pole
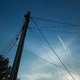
(5, 69)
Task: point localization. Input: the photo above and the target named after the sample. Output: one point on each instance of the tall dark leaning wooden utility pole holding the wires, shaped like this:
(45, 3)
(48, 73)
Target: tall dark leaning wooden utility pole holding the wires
(20, 48)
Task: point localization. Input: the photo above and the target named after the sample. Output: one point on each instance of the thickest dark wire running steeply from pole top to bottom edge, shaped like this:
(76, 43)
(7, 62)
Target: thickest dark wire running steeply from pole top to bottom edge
(53, 50)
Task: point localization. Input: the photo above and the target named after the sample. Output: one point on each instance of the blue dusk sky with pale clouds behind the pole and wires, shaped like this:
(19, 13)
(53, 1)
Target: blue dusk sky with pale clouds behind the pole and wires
(63, 34)
